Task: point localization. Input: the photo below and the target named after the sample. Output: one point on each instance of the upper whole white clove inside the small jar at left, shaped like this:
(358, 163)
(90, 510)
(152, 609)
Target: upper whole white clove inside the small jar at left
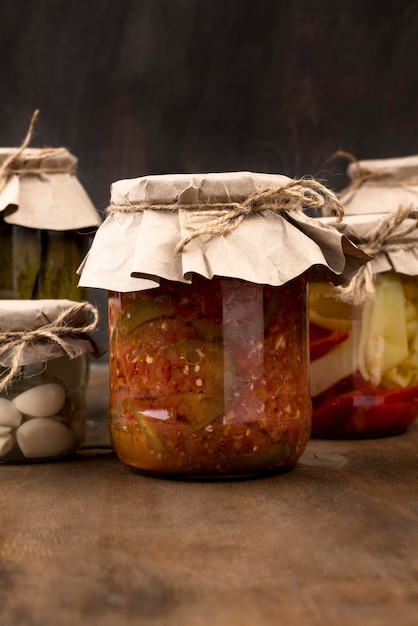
(41, 401)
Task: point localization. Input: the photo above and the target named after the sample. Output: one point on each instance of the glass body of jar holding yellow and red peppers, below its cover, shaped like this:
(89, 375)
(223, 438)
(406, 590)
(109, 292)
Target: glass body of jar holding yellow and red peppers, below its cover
(364, 359)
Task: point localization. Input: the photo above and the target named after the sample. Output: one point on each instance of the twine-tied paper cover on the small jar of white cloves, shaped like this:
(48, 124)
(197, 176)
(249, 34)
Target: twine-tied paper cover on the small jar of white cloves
(35, 331)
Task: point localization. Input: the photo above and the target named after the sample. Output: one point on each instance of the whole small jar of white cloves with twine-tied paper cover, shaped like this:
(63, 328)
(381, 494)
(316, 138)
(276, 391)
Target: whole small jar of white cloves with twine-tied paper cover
(44, 350)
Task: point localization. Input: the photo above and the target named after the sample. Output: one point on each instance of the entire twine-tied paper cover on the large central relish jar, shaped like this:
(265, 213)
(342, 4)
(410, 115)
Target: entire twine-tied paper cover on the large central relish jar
(235, 224)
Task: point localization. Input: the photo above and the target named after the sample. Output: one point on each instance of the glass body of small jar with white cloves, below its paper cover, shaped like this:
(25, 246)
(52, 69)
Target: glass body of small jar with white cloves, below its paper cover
(43, 412)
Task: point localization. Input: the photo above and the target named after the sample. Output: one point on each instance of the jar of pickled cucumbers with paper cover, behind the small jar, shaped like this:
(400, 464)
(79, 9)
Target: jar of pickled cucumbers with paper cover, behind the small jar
(46, 221)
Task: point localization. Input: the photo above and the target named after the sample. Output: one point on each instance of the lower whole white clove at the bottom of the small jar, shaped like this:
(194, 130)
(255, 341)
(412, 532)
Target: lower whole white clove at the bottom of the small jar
(41, 438)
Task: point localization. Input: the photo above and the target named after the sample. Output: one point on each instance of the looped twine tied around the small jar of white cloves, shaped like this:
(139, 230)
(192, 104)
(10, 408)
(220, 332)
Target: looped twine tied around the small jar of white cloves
(14, 343)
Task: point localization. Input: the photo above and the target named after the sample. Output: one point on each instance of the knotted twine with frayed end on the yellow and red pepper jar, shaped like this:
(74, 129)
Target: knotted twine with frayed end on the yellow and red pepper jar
(388, 236)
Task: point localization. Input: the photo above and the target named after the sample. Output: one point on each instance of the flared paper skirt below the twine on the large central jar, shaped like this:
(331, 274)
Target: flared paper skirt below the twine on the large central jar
(324, 253)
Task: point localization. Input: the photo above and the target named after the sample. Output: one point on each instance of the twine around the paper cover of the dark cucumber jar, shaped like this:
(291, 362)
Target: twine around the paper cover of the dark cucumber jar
(31, 164)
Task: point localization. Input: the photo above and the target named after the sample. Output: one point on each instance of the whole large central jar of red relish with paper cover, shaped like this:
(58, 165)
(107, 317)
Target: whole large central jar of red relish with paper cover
(208, 349)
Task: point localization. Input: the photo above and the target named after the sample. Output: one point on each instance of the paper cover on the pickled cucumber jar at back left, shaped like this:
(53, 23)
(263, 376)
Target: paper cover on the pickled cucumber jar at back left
(41, 190)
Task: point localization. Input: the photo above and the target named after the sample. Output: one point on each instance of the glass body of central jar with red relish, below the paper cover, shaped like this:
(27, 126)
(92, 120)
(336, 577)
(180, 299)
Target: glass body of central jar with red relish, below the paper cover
(209, 379)
